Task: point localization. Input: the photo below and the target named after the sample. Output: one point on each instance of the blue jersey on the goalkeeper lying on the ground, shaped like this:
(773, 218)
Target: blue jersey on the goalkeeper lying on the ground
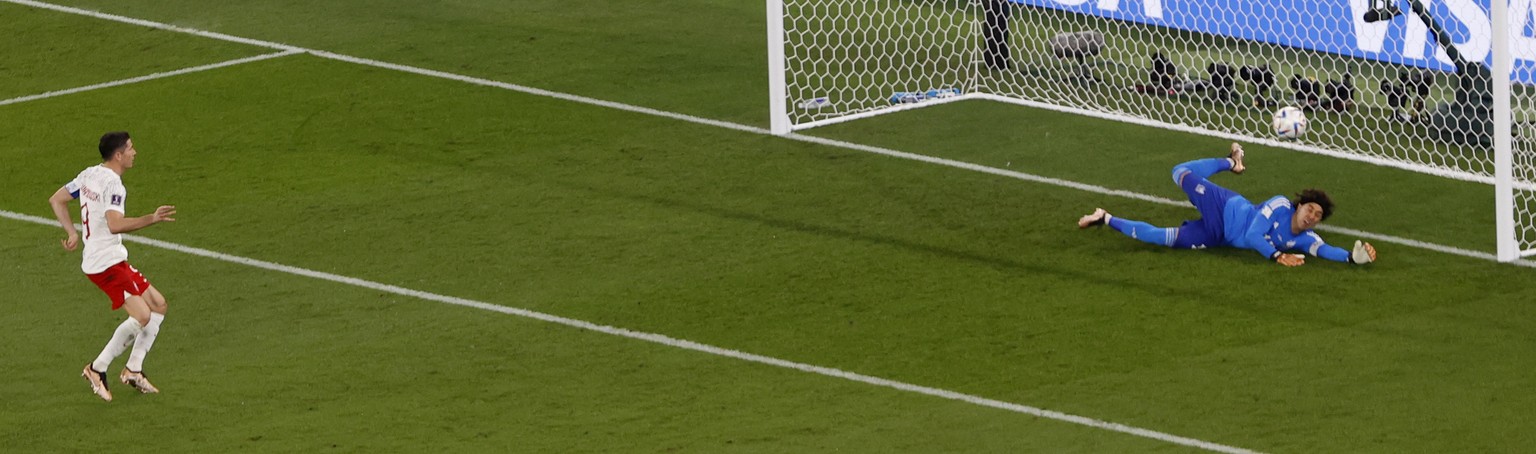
(1266, 229)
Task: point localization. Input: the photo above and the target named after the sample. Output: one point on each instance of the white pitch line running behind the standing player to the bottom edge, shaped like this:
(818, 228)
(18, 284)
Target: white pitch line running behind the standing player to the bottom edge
(664, 341)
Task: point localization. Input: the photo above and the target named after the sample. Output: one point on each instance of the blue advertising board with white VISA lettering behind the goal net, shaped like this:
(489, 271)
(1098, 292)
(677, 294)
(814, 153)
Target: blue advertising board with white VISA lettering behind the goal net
(1334, 27)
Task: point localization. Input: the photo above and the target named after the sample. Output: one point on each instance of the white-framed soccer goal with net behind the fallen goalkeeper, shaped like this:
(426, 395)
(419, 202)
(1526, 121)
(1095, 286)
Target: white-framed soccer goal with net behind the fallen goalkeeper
(1417, 85)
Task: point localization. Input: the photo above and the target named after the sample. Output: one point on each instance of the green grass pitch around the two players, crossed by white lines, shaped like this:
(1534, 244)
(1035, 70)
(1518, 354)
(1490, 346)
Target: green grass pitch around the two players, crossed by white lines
(819, 255)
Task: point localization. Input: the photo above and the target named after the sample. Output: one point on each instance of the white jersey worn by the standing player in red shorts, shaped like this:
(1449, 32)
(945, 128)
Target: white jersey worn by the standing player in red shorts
(99, 191)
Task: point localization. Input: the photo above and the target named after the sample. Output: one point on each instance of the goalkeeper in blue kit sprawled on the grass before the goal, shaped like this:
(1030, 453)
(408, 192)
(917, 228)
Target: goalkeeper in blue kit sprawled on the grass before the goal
(1274, 229)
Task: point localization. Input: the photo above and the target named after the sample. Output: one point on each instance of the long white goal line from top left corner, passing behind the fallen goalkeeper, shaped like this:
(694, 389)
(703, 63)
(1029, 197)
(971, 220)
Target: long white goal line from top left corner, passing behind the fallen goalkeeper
(735, 127)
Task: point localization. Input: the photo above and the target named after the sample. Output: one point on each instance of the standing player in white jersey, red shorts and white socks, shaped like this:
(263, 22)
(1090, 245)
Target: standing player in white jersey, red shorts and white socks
(104, 202)
